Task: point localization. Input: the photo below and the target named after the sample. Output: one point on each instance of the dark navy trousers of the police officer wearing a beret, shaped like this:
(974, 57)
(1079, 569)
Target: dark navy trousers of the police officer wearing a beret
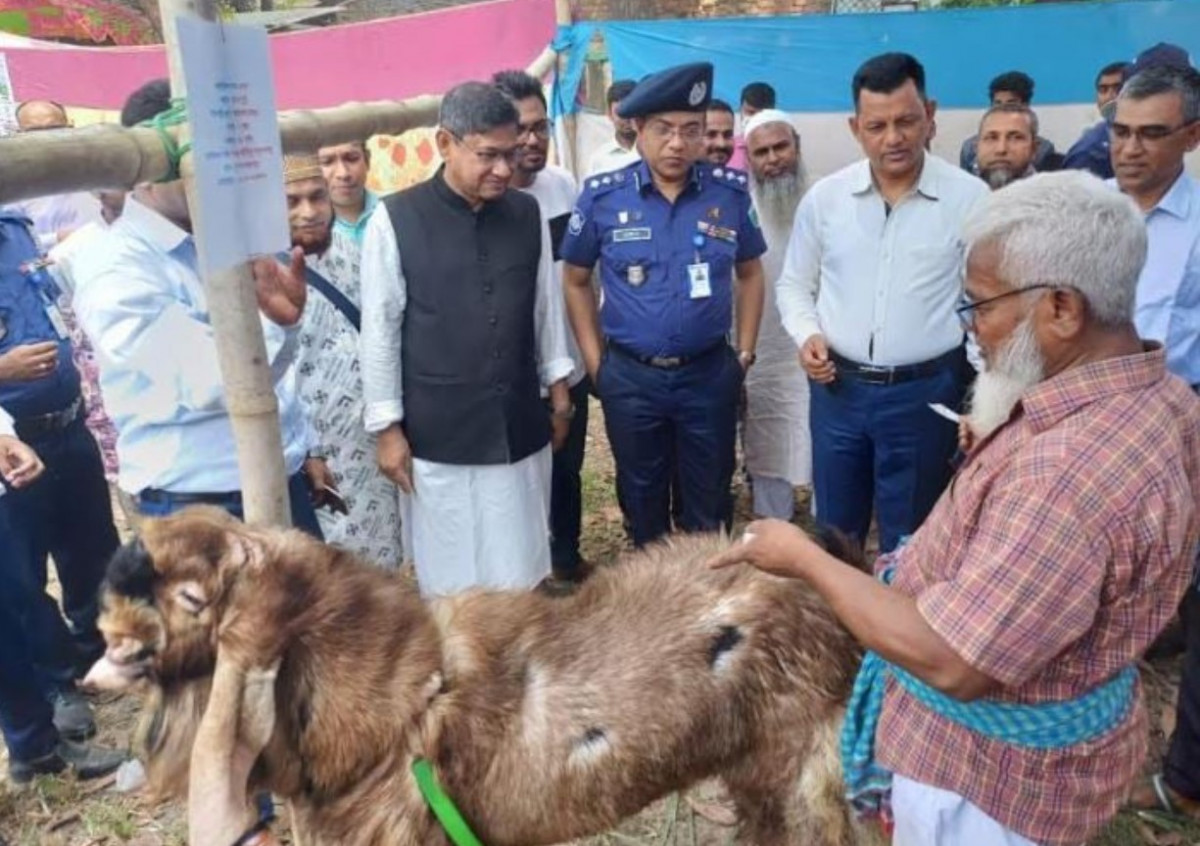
(676, 423)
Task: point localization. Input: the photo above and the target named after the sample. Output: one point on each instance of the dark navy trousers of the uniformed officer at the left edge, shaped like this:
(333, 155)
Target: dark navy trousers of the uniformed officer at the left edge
(65, 514)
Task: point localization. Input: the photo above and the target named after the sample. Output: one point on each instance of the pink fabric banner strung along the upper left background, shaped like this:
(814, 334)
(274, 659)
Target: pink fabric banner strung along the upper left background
(387, 59)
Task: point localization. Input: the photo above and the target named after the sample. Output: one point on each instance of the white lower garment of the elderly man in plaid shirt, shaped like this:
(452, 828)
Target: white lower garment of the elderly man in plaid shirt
(932, 817)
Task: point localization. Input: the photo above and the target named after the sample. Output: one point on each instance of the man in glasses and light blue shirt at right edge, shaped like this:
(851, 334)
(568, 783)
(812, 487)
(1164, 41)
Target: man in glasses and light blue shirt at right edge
(1157, 123)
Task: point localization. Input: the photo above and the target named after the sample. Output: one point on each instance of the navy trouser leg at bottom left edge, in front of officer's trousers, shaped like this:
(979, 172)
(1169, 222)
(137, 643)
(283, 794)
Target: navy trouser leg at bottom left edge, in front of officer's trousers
(26, 716)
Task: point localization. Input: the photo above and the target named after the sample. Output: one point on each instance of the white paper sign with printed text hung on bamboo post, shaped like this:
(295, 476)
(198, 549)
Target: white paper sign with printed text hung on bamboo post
(236, 142)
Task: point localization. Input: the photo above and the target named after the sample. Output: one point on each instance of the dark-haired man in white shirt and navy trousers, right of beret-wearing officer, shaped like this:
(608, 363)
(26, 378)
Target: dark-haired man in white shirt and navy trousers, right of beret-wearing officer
(873, 277)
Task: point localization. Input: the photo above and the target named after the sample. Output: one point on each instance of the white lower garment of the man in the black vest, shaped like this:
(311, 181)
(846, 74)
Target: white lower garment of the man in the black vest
(479, 526)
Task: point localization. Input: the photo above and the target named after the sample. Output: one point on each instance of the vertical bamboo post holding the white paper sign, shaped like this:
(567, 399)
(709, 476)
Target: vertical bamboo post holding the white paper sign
(233, 310)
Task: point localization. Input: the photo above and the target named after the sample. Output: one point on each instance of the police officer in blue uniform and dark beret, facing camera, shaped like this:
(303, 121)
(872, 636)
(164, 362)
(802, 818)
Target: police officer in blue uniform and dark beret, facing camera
(670, 235)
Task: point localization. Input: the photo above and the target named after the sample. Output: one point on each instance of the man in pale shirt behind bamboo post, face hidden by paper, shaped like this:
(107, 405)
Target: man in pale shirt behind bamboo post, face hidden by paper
(141, 301)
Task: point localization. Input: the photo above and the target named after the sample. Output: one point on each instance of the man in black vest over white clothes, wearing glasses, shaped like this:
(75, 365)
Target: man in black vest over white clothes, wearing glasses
(460, 333)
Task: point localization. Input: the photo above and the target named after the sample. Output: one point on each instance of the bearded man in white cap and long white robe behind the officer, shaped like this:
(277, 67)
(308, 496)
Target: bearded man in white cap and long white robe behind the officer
(776, 431)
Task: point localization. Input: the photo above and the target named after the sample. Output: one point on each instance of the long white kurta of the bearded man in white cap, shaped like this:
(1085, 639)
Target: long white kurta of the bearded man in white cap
(776, 436)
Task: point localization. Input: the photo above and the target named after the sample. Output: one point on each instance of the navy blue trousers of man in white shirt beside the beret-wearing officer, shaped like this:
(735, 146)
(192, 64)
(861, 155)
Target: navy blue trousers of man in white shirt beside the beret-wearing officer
(880, 448)
